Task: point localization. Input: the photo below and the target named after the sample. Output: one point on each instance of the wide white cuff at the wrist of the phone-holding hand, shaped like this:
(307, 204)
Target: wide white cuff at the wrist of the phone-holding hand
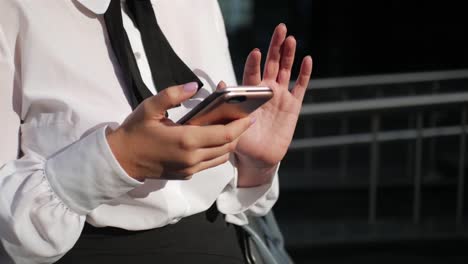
(86, 174)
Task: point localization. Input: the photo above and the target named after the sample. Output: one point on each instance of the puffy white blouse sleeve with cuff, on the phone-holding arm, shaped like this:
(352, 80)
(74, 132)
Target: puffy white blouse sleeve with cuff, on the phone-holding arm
(44, 200)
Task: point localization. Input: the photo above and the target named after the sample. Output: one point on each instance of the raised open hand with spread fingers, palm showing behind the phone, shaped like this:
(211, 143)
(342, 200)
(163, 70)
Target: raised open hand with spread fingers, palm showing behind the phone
(264, 145)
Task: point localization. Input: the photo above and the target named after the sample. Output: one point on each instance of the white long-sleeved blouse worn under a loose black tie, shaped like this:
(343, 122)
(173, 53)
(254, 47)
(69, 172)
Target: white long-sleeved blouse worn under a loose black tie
(60, 86)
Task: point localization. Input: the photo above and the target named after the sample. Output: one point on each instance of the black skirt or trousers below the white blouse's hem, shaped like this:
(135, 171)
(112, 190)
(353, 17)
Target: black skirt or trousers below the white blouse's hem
(202, 238)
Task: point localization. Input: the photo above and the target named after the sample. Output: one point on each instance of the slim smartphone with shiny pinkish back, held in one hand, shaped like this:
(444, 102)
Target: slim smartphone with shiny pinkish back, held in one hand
(226, 105)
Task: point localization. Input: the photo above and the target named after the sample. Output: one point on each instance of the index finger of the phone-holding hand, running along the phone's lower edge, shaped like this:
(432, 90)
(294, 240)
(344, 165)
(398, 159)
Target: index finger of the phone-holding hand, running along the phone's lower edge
(218, 135)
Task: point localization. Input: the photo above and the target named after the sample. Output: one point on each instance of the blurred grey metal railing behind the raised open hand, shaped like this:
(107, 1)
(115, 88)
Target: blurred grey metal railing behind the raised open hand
(373, 109)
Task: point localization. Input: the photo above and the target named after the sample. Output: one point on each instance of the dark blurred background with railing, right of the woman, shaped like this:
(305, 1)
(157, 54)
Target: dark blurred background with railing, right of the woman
(376, 171)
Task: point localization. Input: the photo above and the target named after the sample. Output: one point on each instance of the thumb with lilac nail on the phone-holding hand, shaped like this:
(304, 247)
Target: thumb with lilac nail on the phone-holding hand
(172, 97)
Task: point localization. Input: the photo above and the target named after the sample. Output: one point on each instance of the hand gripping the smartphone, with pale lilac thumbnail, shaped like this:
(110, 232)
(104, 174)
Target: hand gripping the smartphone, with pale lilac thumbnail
(149, 145)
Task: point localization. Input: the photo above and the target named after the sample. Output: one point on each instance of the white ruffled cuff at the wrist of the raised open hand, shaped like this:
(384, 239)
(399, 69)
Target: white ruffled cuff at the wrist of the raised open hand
(237, 203)
